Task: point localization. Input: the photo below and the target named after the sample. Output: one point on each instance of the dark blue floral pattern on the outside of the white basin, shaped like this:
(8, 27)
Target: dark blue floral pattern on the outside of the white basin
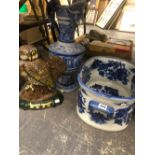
(101, 114)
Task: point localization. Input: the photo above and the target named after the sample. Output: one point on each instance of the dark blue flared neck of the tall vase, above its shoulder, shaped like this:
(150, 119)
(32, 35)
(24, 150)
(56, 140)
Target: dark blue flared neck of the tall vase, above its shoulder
(68, 18)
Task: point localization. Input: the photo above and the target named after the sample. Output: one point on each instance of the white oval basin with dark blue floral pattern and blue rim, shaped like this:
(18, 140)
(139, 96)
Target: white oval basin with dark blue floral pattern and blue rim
(106, 94)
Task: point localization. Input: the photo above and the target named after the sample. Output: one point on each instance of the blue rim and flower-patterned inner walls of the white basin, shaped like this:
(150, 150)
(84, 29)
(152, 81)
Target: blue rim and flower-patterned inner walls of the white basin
(114, 70)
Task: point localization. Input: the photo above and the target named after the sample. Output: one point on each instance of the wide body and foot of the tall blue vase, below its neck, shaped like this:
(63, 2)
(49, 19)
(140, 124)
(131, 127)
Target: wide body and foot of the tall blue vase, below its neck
(73, 61)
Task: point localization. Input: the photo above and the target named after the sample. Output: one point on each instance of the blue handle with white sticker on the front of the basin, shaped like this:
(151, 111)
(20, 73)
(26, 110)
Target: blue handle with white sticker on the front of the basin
(97, 106)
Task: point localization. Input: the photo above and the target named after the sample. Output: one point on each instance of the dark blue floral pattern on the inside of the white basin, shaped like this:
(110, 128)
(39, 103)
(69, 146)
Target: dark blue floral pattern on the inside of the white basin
(112, 70)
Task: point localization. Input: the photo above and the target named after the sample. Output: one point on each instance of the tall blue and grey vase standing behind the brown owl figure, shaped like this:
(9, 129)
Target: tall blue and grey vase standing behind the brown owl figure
(66, 48)
